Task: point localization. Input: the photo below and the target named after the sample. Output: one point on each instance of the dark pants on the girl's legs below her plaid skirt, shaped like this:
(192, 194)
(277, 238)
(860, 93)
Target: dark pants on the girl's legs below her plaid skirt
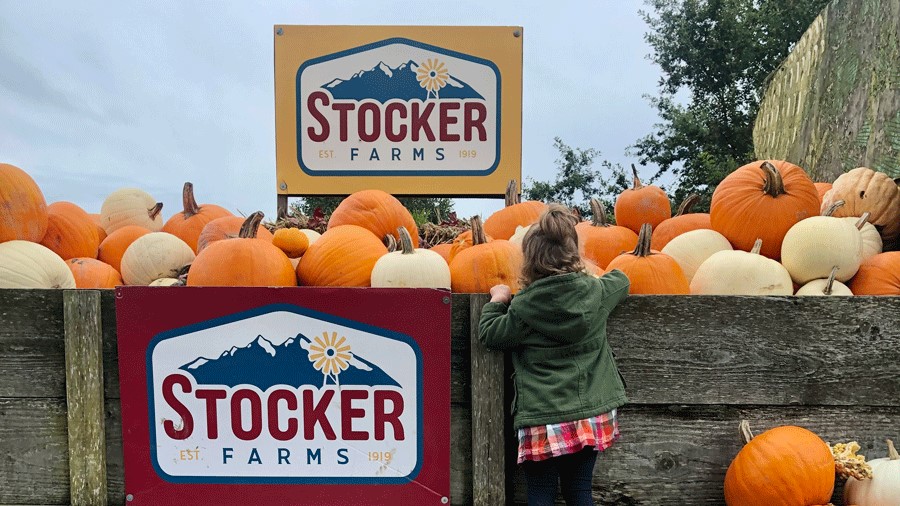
(572, 471)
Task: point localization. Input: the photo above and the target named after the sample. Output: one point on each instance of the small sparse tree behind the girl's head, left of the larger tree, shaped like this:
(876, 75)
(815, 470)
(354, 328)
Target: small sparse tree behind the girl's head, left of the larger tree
(577, 181)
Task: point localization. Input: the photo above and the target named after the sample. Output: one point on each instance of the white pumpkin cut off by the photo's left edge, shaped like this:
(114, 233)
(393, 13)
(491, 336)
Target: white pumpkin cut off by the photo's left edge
(25, 264)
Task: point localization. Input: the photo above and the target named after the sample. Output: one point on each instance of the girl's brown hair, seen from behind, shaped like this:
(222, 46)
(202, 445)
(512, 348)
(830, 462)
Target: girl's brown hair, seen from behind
(551, 246)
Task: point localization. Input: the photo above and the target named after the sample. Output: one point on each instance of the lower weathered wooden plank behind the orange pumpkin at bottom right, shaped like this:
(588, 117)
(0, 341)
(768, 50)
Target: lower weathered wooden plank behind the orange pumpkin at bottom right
(678, 455)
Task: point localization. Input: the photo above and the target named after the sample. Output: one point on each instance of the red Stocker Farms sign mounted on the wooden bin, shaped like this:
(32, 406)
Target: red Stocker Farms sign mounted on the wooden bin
(285, 396)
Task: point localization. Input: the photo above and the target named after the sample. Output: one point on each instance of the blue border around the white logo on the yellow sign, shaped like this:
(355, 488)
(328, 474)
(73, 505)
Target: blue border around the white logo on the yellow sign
(418, 172)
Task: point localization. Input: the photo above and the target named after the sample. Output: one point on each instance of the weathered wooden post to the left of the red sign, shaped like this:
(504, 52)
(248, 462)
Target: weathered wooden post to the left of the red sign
(84, 397)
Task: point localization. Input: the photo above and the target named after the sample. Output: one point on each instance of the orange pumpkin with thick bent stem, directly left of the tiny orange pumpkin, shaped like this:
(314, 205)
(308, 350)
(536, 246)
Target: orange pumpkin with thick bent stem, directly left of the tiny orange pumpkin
(242, 261)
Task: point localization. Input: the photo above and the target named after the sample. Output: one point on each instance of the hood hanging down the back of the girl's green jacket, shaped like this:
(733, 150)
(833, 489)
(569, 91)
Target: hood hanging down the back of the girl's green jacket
(560, 307)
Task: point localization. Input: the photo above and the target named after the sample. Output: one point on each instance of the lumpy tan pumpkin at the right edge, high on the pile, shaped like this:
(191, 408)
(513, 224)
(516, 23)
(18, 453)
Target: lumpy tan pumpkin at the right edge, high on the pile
(864, 190)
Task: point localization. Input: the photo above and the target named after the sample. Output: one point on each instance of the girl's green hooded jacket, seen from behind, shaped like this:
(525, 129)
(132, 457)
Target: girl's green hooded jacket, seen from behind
(556, 329)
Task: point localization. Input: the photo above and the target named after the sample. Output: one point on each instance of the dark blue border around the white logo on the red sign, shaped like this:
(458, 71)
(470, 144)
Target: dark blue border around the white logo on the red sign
(290, 308)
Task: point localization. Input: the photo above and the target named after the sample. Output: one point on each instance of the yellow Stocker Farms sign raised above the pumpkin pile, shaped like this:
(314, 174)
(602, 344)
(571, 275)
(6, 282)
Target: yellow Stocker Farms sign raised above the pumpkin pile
(411, 110)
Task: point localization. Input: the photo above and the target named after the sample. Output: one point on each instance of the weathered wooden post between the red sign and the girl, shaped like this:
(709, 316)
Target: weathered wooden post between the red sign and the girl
(488, 449)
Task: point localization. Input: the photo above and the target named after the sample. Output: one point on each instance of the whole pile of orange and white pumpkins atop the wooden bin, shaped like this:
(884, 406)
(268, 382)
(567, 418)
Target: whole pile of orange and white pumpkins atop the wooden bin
(770, 231)
